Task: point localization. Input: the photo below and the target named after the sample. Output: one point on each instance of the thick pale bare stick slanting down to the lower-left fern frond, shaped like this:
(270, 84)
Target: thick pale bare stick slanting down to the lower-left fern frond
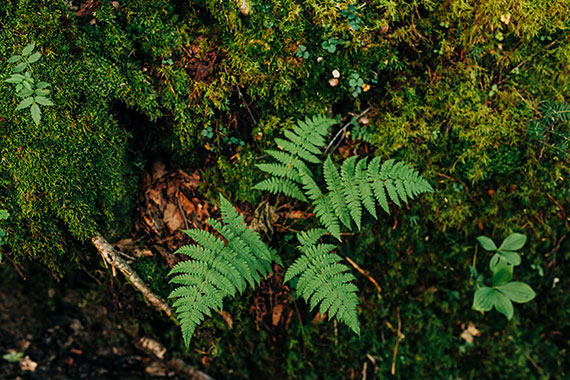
(116, 261)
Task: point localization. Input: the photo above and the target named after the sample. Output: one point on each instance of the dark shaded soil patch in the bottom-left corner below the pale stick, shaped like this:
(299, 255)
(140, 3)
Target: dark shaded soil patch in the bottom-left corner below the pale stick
(73, 329)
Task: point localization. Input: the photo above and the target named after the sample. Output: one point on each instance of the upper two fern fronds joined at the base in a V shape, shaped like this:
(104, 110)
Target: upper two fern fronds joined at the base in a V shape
(358, 185)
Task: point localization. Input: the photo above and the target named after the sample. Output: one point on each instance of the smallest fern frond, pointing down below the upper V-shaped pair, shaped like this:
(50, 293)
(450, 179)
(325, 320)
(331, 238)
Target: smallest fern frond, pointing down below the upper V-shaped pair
(323, 281)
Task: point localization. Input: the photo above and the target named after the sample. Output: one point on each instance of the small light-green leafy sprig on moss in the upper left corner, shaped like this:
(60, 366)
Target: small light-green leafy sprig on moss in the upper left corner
(33, 94)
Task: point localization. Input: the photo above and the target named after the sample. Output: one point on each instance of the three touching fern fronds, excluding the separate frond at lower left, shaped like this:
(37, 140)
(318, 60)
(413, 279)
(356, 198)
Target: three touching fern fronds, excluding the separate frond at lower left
(359, 185)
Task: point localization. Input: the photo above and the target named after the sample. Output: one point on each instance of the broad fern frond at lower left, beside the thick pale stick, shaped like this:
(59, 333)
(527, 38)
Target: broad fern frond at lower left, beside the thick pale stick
(217, 268)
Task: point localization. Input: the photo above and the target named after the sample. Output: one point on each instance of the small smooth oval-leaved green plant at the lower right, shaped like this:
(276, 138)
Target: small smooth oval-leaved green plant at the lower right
(503, 291)
